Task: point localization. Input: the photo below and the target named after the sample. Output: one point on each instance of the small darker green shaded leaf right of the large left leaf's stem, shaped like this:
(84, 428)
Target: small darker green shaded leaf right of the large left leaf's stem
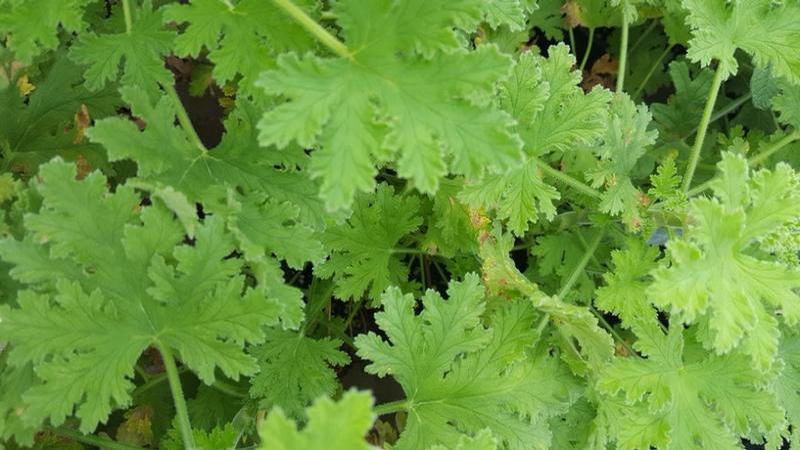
(294, 370)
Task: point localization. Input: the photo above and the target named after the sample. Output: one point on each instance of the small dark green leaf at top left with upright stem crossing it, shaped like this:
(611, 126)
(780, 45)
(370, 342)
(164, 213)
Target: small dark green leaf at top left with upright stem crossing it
(143, 51)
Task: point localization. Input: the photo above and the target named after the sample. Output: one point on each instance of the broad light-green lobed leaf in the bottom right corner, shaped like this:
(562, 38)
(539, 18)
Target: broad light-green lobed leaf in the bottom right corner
(673, 399)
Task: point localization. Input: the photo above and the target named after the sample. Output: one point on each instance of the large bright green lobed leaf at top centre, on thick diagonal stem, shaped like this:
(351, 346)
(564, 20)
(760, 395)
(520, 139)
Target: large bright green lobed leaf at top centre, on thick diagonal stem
(407, 91)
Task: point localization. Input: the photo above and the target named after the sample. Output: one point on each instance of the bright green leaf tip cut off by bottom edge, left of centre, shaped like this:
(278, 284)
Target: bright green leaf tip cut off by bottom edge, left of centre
(331, 425)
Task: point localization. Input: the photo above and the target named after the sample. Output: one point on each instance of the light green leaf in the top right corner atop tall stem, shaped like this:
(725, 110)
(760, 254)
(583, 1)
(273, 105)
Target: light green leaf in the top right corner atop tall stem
(768, 31)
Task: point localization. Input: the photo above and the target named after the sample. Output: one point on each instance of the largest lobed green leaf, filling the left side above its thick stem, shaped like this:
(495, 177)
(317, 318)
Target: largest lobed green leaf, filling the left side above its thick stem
(108, 278)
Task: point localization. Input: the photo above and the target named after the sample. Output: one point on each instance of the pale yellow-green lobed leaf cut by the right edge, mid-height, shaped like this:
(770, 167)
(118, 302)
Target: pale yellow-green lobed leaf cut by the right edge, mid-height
(715, 278)
